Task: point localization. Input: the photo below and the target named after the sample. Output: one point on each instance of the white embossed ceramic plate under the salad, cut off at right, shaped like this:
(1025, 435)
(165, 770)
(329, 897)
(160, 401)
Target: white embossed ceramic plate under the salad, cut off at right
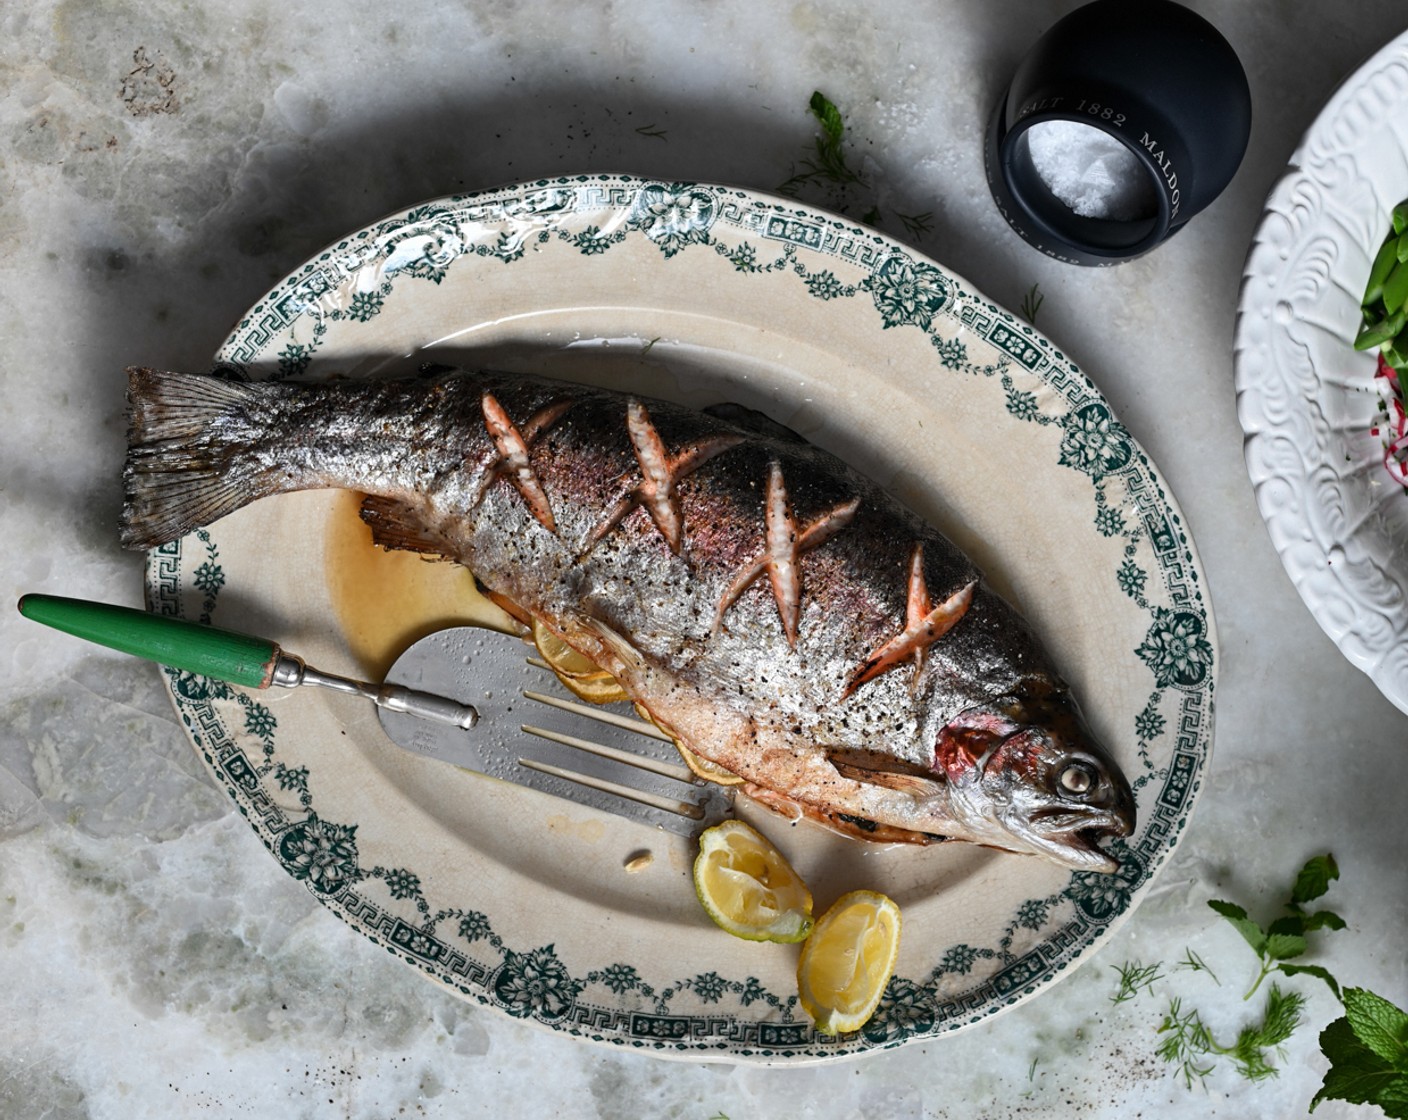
(1306, 399)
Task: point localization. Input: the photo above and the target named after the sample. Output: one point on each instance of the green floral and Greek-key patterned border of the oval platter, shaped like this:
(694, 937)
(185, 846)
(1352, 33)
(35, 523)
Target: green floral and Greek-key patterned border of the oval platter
(455, 942)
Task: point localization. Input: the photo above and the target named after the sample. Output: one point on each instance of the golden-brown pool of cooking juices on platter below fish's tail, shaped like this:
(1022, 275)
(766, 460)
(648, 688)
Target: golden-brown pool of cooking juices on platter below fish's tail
(386, 601)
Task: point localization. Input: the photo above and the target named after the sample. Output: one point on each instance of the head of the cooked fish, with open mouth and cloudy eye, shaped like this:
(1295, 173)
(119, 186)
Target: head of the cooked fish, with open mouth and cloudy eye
(1027, 776)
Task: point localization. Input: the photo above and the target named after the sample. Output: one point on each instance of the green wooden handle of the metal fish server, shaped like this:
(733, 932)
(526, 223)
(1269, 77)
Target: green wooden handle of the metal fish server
(239, 659)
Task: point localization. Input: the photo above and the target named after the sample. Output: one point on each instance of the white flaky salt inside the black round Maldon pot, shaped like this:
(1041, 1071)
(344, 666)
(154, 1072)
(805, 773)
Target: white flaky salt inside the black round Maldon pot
(1090, 171)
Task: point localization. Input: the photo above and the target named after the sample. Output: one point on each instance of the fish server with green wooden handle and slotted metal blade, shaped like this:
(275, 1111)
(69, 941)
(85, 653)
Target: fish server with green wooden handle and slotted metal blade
(467, 697)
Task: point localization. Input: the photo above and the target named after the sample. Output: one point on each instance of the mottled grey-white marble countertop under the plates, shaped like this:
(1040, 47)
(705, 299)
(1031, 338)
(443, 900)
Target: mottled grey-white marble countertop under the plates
(164, 164)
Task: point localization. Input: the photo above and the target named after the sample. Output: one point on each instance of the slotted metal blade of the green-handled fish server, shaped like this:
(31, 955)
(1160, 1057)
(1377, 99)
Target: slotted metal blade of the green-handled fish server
(533, 733)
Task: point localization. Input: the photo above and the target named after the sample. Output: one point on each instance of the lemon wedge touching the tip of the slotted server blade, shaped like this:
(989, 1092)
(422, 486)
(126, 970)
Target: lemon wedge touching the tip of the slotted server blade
(748, 888)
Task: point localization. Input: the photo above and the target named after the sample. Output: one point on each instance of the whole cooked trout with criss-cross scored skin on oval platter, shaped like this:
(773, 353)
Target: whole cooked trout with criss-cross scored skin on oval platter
(872, 681)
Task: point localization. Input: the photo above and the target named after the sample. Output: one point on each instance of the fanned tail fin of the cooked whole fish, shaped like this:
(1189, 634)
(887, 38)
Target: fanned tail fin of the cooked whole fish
(181, 468)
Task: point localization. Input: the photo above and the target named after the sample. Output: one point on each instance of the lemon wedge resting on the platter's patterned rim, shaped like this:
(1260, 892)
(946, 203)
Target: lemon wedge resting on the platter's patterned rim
(848, 962)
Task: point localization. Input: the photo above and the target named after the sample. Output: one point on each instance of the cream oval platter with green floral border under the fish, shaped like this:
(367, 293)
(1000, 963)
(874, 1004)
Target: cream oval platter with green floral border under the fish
(703, 294)
